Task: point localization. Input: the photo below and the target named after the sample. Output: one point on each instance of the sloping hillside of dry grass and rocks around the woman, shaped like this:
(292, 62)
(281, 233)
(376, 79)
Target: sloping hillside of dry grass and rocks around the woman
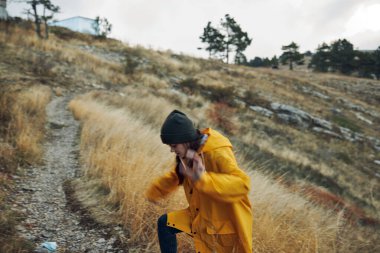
(309, 141)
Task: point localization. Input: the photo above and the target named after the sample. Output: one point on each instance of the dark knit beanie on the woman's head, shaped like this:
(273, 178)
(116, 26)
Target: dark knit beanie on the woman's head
(178, 128)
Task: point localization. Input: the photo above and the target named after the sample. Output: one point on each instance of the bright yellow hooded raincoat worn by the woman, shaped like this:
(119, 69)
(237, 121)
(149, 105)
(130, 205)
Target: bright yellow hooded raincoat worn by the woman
(219, 216)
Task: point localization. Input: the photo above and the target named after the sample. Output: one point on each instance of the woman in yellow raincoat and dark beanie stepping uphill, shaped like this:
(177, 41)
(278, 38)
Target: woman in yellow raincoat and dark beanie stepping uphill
(219, 216)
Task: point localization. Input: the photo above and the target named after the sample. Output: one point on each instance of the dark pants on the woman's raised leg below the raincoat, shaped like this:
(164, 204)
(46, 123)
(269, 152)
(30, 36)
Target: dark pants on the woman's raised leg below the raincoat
(166, 235)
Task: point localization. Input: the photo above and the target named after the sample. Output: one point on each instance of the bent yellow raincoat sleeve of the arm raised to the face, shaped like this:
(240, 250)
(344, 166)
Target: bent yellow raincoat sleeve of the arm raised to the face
(228, 183)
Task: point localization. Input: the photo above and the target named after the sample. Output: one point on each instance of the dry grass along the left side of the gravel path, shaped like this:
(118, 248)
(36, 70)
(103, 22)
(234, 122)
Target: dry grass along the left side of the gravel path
(22, 113)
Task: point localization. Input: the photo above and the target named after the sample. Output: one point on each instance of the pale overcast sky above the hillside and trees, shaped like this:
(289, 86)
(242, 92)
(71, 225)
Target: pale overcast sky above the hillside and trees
(177, 24)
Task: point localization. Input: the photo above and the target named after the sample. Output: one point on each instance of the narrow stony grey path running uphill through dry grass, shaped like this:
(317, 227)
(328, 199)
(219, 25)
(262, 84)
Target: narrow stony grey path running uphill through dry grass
(41, 195)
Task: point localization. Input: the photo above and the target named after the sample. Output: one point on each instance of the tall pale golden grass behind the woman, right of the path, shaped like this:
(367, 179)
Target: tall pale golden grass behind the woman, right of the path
(125, 153)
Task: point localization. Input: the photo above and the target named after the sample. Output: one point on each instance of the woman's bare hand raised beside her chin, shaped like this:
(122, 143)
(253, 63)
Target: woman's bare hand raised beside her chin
(197, 169)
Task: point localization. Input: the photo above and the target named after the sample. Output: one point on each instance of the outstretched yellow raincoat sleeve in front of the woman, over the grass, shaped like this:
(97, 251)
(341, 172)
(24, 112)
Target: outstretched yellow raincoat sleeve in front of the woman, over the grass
(162, 186)
